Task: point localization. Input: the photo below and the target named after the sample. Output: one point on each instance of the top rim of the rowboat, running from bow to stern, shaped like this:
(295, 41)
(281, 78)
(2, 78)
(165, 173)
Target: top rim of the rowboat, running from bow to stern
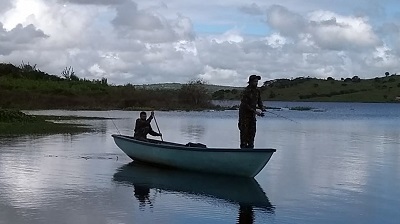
(177, 146)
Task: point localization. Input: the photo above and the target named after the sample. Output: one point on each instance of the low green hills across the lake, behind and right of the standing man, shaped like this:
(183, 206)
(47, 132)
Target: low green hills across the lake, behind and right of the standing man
(379, 89)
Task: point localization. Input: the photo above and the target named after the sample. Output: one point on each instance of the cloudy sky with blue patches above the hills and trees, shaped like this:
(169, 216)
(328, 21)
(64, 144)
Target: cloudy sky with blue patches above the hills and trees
(221, 42)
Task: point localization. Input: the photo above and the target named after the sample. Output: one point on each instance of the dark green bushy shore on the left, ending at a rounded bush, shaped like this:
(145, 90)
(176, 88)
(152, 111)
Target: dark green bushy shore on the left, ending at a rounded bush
(27, 87)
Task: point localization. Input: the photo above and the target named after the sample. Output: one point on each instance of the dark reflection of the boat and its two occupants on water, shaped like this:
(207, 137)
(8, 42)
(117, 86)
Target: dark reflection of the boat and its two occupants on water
(242, 191)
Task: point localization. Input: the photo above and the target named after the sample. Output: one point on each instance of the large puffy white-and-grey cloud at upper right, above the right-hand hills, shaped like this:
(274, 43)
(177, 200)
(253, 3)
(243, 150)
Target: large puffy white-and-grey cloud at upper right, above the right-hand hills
(324, 29)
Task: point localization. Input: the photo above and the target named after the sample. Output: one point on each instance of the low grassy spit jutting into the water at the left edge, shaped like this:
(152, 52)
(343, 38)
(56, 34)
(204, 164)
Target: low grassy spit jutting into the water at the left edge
(13, 122)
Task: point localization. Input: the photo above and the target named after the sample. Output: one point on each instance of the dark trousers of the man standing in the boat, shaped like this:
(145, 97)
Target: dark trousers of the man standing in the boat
(247, 127)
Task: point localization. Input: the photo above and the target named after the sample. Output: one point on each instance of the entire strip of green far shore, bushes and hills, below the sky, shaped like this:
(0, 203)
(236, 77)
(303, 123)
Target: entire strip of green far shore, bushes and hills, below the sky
(25, 87)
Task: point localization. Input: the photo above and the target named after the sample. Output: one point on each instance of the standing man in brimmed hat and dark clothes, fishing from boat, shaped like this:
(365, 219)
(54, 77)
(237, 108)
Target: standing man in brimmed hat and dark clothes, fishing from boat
(251, 100)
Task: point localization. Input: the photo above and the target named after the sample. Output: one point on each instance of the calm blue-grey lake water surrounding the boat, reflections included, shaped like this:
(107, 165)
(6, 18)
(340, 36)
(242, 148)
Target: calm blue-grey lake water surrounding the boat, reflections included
(339, 163)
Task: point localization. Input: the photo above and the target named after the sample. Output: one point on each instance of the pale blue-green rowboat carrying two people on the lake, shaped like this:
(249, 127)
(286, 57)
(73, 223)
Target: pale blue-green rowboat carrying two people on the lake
(238, 162)
